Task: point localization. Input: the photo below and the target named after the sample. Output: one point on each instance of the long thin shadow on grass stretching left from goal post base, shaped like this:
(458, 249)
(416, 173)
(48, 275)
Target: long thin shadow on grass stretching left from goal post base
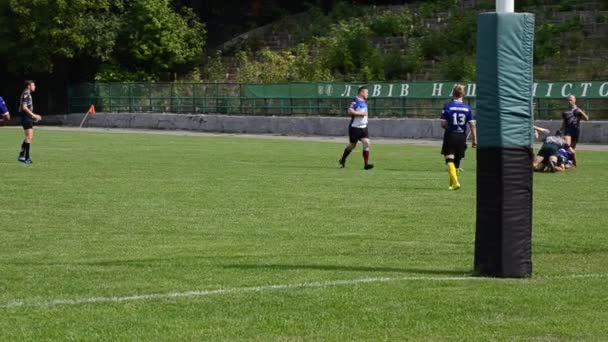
(351, 269)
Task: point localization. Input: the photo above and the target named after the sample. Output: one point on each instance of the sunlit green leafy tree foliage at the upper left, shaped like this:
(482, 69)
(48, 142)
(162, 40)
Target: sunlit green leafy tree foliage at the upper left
(80, 36)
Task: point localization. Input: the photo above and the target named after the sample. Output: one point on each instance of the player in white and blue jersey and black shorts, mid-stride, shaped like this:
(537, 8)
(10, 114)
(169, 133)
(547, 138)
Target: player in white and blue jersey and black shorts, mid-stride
(357, 128)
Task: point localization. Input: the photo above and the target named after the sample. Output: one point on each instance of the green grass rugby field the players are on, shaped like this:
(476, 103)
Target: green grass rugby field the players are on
(371, 255)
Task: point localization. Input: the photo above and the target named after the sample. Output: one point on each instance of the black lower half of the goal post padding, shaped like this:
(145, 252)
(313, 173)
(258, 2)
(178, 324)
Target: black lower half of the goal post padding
(503, 239)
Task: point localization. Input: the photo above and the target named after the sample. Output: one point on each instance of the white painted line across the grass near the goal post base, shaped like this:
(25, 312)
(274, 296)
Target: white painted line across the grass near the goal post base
(238, 290)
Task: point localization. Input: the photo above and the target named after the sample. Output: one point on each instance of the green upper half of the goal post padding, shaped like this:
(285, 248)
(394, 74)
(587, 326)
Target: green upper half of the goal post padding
(505, 45)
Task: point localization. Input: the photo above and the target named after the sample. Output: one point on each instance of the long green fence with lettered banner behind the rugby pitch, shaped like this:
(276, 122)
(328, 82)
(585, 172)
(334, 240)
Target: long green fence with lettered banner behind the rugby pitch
(414, 99)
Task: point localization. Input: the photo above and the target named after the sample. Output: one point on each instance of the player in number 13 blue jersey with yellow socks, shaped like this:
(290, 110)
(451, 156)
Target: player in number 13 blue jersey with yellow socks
(455, 117)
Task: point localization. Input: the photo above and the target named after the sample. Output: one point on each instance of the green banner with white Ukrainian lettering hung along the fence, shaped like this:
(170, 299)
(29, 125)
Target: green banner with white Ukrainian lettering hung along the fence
(417, 90)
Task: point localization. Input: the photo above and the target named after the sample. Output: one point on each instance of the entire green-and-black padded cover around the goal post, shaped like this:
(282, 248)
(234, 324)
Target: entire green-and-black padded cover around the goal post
(503, 239)
